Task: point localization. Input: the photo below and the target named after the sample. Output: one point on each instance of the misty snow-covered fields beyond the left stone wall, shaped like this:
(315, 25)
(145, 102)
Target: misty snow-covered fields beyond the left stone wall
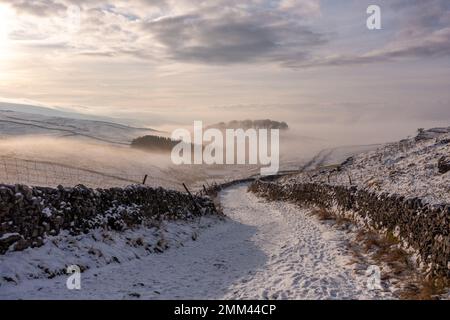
(46, 147)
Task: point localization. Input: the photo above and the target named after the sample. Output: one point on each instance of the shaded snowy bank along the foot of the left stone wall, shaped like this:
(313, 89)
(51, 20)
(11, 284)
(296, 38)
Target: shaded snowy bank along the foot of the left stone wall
(94, 250)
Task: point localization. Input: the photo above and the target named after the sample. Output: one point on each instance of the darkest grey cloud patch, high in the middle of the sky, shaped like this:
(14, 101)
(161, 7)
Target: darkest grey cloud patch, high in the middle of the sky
(234, 38)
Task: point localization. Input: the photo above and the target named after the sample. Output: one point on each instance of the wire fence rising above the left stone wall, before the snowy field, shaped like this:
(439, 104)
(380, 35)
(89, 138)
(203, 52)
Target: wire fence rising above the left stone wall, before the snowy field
(50, 174)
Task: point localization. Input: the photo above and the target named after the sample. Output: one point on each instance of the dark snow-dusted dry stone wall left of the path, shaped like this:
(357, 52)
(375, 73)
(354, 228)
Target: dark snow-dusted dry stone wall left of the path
(28, 214)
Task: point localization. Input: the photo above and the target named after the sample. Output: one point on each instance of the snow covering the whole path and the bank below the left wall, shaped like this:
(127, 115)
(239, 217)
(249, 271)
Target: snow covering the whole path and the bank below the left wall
(262, 251)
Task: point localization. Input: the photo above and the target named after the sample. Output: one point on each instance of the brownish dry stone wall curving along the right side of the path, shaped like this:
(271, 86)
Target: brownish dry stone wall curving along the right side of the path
(424, 227)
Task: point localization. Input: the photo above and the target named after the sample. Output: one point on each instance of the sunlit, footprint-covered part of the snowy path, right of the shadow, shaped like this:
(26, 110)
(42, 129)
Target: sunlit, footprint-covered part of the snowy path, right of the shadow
(304, 258)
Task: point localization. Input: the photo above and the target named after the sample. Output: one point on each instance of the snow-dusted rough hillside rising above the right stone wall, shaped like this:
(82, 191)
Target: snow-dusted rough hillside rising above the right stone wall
(408, 167)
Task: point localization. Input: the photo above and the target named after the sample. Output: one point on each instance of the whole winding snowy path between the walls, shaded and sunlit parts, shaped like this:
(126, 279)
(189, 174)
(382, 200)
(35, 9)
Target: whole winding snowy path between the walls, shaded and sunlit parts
(265, 250)
